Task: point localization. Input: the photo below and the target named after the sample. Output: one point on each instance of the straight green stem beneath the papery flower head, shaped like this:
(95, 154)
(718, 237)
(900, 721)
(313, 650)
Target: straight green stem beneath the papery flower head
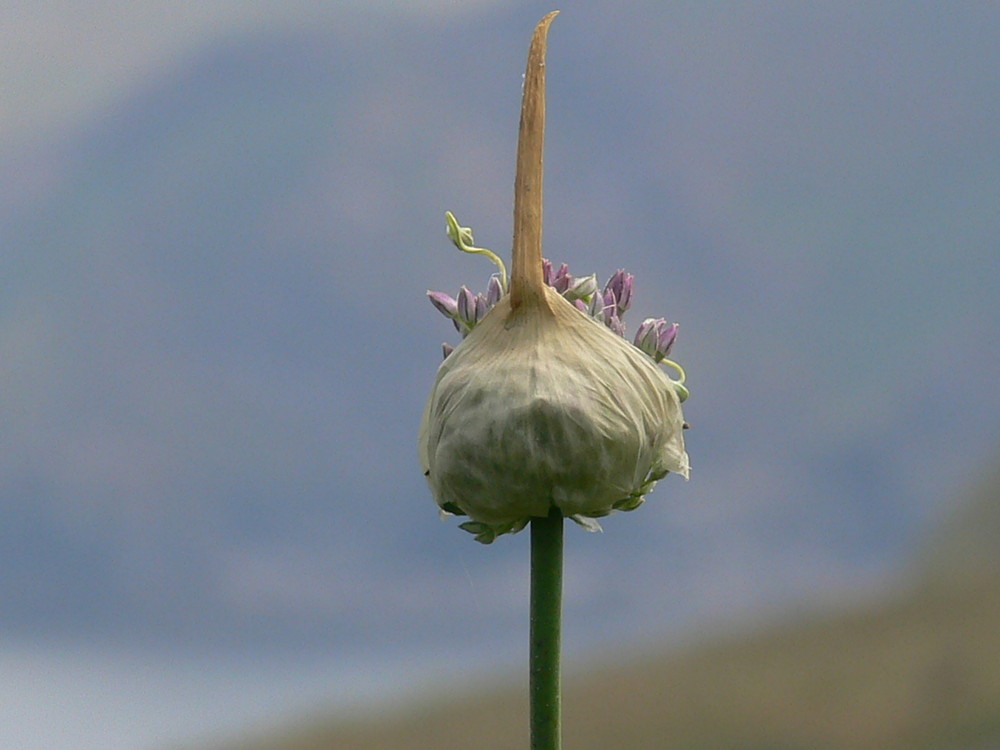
(546, 616)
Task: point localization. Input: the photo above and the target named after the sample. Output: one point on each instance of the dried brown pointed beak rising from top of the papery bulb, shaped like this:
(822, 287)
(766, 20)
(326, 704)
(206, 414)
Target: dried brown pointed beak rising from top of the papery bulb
(526, 283)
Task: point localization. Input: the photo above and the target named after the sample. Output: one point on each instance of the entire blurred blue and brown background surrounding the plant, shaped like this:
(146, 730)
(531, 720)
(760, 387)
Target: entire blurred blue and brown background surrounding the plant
(217, 224)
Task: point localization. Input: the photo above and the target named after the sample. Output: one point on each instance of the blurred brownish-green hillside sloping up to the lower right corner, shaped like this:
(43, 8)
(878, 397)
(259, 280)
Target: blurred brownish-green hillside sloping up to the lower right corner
(911, 669)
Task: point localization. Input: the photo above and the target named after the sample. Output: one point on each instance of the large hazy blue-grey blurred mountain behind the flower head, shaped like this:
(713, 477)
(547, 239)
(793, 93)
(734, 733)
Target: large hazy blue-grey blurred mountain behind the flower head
(214, 347)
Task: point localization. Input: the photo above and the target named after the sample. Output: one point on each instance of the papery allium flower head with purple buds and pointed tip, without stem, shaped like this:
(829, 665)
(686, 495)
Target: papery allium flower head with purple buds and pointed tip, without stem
(543, 403)
